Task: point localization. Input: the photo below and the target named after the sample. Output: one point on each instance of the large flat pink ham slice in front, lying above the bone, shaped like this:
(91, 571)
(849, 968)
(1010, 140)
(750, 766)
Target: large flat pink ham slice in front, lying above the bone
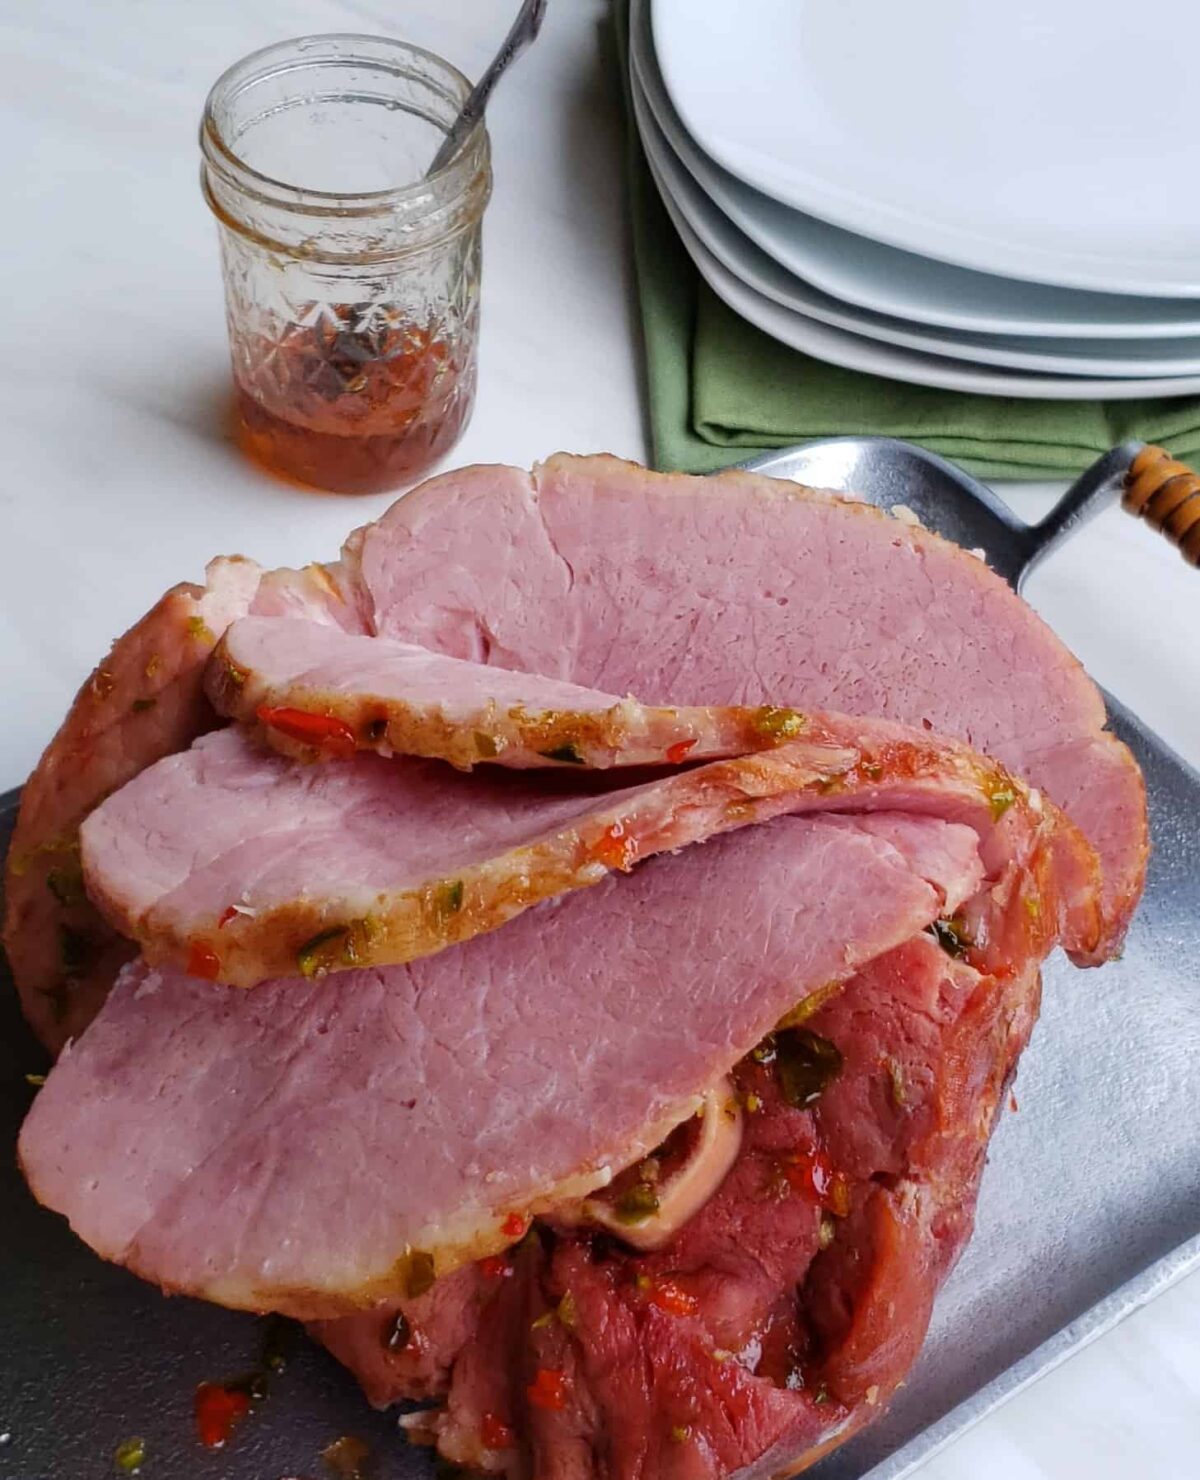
(317, 1146)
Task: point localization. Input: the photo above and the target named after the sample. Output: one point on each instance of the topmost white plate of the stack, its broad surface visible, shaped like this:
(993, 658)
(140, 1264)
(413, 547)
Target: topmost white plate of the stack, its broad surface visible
(1028, 140)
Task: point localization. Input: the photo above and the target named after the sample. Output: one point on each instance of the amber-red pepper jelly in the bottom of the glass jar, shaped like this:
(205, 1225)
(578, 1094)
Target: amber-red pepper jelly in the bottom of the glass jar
(353, 399)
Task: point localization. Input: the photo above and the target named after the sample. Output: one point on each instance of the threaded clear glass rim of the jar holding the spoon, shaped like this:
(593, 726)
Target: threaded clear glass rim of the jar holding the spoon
(227, 162)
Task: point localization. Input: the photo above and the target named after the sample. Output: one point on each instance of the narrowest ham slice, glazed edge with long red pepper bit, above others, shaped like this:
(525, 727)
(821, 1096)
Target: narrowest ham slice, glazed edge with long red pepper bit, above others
(400, 699)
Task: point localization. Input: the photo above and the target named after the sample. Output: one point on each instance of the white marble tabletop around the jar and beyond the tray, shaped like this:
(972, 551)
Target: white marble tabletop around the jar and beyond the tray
(119, 477)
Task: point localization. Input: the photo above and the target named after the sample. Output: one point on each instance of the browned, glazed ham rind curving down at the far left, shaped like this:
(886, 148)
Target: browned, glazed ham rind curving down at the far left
(144, 702)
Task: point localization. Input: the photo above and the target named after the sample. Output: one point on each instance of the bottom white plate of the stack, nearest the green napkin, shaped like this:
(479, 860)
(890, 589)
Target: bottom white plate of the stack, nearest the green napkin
(856, 353)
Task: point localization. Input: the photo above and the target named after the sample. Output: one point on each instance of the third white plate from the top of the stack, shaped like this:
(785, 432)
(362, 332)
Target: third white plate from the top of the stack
(757, 270)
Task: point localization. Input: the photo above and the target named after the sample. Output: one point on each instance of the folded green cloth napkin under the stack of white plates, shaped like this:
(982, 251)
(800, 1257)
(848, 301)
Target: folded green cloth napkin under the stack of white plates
(721, 391)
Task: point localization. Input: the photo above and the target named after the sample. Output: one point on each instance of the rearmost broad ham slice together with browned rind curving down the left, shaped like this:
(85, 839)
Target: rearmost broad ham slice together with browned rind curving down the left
(735, 591)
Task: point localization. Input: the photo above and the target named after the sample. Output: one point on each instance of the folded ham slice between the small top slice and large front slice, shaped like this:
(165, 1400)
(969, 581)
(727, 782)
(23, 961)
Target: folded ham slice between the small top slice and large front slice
(239, 865)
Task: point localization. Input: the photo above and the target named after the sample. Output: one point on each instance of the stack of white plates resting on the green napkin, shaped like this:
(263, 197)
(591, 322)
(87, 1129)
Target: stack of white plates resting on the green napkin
(954, 193)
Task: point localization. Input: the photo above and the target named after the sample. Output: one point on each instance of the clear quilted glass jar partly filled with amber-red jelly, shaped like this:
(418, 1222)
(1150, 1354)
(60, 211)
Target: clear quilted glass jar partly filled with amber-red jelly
(351, 282)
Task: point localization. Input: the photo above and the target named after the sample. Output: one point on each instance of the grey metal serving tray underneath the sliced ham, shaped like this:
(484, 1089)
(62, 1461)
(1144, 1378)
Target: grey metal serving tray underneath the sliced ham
(1091, 1207)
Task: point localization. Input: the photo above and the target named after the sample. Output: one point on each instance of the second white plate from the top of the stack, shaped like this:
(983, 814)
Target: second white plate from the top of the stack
(899, 283)
